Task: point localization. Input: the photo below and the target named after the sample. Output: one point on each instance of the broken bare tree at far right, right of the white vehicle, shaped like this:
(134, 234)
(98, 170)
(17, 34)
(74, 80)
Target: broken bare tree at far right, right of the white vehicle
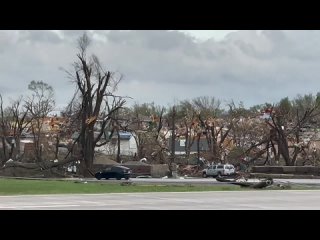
(286, 121)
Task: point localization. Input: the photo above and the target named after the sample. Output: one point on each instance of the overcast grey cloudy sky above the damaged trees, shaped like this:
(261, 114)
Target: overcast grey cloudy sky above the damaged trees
(164, 67)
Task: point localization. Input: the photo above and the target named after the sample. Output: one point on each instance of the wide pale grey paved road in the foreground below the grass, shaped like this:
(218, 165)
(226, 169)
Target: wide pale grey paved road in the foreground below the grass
(260, 200)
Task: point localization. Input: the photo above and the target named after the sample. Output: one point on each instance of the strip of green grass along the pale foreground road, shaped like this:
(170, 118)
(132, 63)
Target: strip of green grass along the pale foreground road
(18, 187)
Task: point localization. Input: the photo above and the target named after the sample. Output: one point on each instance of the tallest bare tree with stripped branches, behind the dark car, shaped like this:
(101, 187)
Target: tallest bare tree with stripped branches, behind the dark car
(96, 88)
